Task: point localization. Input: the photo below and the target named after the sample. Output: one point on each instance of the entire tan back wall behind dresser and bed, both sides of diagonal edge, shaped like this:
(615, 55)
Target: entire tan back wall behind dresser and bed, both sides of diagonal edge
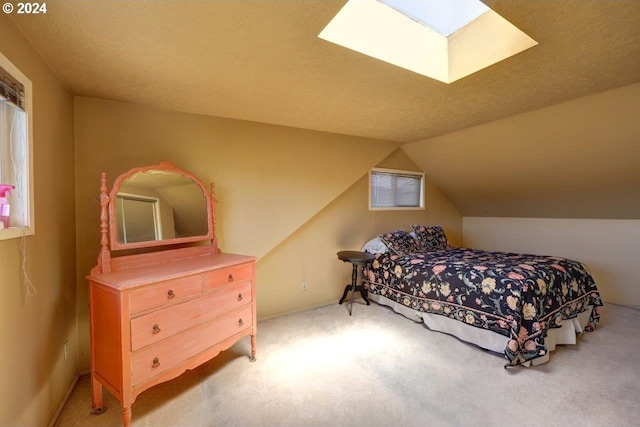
(273, 184)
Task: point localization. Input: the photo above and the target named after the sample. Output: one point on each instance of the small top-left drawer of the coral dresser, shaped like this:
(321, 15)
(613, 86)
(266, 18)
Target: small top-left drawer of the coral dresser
(164, 293)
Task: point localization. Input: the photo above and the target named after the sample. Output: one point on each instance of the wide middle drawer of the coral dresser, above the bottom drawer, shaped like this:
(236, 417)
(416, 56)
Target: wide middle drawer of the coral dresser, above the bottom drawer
(163, 323)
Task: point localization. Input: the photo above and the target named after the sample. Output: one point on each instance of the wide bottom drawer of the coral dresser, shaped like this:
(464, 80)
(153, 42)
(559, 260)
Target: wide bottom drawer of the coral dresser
(168, 353)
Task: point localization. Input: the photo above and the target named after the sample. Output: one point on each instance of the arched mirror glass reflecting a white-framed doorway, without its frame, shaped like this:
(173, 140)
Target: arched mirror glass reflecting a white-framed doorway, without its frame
(159, 205)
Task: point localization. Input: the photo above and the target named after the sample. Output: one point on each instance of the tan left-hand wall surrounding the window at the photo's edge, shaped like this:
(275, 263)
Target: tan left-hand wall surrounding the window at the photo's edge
(35, 376)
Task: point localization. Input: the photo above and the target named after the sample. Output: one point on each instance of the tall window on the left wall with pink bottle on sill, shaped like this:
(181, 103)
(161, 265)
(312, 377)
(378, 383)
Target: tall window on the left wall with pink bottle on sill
(15, 149)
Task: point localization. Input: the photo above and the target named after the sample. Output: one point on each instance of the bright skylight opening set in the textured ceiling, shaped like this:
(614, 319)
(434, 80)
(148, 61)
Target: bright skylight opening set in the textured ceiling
(442, 39)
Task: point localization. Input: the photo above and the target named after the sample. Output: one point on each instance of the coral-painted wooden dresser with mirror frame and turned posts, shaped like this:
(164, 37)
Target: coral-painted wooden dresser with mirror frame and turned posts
(155, 315)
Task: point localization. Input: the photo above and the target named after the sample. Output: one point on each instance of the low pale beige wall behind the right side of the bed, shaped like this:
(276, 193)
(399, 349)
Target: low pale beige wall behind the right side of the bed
(611, 248)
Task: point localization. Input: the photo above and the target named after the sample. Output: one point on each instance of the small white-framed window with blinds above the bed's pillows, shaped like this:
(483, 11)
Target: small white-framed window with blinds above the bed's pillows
(395, 189)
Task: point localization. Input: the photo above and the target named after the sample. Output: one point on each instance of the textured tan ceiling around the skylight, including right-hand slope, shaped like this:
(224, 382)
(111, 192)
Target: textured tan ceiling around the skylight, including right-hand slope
(262, 61)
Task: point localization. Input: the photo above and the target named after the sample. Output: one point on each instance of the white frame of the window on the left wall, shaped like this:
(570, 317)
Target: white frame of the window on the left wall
(27, 166)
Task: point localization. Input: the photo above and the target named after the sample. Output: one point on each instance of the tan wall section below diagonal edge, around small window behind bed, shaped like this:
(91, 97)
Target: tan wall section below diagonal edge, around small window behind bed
(345, 224)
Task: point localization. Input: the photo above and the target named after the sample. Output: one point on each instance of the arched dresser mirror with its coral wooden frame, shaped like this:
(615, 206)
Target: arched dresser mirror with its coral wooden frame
(158, 205)
